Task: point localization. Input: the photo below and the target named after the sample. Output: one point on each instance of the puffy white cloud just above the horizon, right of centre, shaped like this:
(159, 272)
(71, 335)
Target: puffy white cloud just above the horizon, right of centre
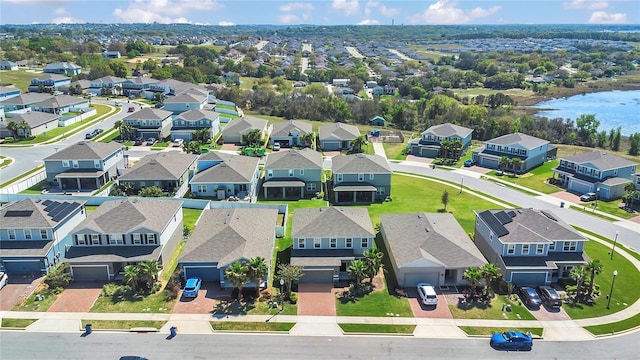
(446, 12)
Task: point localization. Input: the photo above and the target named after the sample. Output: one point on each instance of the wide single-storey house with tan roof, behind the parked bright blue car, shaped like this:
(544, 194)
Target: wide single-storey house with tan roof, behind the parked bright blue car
(224, 236)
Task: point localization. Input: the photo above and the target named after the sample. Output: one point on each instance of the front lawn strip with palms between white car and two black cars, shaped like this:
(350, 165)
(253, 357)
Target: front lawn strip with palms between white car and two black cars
(493, 310)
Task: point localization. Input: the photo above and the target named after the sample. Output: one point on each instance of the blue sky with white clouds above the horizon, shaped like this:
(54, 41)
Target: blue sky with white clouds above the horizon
(321, 12)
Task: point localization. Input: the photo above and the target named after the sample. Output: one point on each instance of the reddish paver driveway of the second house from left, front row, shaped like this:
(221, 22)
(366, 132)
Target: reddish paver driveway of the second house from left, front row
(78, 297)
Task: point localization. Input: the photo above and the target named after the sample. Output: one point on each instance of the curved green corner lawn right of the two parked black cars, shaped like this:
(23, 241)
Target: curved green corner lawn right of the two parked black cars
(624, 292)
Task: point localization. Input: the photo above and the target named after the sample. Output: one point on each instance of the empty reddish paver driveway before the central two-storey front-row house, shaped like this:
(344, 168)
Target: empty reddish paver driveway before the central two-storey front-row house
(316, 299)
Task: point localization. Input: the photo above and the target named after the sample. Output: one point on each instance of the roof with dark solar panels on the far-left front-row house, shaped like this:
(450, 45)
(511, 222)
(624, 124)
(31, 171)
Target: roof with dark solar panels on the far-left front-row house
(36, 213)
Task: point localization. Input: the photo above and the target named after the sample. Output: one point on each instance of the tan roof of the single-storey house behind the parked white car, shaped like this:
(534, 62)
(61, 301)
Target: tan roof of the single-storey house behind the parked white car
(436, 237)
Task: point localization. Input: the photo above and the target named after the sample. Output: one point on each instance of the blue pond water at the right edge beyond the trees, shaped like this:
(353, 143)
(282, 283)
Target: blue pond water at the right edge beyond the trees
(612, 108)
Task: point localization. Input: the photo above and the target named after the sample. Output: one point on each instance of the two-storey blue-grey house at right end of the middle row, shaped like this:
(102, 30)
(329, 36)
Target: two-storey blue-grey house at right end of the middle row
(360, 178)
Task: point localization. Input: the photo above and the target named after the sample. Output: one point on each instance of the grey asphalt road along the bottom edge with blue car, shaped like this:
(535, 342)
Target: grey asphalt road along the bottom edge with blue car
(30, 345)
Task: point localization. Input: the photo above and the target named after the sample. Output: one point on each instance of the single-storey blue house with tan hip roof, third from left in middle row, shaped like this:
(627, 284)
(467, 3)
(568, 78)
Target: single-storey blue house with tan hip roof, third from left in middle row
(222, 175)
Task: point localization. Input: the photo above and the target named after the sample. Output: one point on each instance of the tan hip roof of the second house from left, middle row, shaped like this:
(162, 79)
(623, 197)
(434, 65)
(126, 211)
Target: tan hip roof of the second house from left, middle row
(167, 165)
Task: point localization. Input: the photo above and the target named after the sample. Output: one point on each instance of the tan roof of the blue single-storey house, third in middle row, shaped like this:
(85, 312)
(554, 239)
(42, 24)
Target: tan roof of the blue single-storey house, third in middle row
(235, 169)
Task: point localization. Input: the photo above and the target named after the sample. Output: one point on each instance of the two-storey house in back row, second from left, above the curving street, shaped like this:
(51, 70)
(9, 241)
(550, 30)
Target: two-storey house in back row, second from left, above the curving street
(186, 123)
